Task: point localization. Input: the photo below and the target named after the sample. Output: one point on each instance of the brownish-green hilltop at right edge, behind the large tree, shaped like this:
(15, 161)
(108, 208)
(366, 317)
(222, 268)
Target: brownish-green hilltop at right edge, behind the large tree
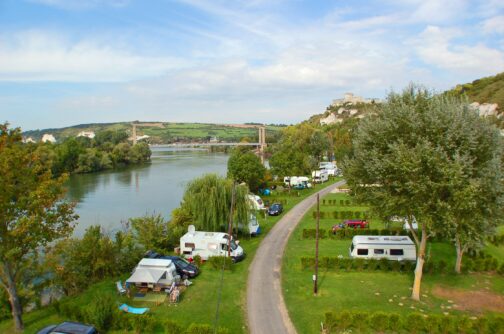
(484, 90)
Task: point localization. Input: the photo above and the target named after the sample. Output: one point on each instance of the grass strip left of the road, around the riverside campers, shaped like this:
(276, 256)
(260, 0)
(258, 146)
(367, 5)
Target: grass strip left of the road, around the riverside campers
(198, 303)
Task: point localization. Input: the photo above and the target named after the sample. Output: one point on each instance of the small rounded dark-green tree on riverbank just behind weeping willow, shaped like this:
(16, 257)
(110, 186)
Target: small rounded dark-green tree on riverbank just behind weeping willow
(245, 166)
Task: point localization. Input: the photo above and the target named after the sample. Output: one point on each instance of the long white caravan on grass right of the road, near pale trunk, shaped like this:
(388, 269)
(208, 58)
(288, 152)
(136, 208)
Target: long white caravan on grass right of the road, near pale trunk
(399, 248)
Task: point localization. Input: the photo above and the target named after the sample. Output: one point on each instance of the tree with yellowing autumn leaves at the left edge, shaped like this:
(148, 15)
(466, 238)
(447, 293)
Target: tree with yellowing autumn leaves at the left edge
(32, 210)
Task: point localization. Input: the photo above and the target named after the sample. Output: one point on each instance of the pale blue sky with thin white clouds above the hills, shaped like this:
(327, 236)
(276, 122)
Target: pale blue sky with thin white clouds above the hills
(68, 62)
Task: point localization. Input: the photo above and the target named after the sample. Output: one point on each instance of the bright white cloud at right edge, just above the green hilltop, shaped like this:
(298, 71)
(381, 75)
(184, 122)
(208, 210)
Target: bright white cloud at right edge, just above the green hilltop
(434, 47)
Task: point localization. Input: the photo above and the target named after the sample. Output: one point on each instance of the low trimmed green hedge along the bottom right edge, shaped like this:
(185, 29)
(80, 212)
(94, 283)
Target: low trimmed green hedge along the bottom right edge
(363, 321)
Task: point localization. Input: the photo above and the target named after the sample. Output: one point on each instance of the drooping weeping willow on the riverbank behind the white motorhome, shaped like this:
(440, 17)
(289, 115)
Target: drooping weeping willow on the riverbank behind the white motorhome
(208, 201)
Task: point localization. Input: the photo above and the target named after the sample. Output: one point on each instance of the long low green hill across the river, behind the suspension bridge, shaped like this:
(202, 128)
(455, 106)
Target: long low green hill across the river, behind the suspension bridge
(169, 133)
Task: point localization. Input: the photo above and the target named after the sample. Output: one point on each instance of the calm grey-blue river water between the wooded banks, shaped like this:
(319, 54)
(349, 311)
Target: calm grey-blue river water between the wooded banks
(110, 198)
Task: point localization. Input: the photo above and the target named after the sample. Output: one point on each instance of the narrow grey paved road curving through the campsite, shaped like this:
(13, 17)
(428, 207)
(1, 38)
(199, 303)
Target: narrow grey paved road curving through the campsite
(266, 310)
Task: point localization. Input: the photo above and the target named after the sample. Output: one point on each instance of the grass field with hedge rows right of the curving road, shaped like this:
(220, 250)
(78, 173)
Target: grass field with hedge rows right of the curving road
(368, 291)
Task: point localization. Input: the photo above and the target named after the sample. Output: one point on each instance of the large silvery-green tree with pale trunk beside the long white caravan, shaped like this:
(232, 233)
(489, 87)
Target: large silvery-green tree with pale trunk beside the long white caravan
(405, 163)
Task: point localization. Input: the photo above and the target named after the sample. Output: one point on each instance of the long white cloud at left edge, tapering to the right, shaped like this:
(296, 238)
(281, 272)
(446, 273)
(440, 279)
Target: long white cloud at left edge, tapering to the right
(43, 56)
